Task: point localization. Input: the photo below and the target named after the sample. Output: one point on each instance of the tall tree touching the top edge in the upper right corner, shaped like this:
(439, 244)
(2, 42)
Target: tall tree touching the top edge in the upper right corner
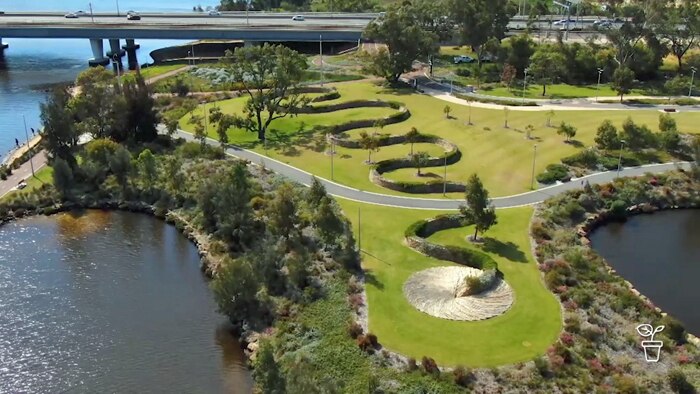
(679, 27)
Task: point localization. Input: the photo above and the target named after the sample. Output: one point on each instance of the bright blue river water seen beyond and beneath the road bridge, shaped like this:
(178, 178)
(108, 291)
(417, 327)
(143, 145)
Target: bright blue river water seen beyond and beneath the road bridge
(31, 64)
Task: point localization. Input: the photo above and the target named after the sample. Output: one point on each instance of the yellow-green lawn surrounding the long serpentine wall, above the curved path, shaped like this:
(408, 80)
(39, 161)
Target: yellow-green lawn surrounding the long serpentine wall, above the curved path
(502, 157)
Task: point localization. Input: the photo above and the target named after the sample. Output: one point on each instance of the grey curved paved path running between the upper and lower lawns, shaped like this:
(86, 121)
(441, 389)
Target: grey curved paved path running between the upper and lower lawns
(351, 193)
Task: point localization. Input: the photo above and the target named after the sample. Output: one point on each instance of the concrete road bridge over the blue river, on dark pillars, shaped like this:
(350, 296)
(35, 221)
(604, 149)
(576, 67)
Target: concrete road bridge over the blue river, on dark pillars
(249, 27)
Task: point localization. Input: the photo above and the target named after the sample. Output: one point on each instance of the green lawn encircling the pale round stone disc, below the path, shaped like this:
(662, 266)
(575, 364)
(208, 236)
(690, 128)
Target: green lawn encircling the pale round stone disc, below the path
(522, 333)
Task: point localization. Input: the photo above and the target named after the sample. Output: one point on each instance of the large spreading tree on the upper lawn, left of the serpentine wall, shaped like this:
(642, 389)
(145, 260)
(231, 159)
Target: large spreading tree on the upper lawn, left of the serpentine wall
(270, 76)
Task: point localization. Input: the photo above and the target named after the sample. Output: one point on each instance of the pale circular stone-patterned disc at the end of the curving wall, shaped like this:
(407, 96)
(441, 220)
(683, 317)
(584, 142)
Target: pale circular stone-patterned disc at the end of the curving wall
(432, 291)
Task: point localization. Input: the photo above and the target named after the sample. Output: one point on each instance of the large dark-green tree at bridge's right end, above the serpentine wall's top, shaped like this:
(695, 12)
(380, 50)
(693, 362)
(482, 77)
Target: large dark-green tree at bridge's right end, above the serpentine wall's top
(406, 40)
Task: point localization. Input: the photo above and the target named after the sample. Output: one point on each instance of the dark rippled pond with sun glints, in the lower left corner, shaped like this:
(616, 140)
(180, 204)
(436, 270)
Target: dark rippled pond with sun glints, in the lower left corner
(109, 302)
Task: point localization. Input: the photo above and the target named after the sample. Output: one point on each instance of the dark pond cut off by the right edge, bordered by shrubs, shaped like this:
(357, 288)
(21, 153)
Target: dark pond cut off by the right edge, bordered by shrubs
(660, 255)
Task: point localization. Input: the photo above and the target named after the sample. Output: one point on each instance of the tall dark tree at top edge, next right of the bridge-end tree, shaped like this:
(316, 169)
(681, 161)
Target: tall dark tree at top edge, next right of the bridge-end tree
(479, 21)
